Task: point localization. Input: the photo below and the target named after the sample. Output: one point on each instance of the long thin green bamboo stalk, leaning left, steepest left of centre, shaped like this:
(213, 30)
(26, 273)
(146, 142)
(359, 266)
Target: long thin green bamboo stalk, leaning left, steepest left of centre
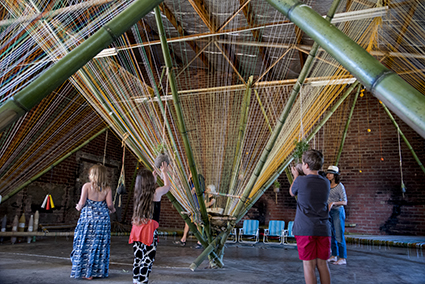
(181, 124)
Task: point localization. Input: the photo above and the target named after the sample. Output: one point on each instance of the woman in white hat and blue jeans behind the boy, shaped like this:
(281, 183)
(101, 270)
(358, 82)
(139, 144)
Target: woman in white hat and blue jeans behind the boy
(337, 200)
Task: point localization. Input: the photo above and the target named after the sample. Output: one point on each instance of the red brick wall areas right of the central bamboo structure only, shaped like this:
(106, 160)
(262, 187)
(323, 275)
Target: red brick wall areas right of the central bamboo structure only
(375, 201)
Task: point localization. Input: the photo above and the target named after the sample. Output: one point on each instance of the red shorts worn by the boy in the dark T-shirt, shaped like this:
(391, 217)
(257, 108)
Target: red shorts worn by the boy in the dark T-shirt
(312, 247)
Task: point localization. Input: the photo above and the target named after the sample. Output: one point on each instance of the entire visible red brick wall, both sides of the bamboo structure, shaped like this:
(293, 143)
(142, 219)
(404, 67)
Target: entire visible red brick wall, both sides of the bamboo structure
(375, 201)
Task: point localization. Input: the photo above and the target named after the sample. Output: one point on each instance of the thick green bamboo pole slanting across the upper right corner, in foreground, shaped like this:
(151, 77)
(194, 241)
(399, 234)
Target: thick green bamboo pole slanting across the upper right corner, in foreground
(386, 85)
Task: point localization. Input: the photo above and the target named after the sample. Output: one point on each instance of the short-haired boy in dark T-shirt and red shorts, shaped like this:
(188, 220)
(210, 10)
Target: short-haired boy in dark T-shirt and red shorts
(312, 228)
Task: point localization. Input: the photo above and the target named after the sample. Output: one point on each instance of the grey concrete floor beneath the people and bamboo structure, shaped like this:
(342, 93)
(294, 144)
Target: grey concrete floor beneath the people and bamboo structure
(47, 261)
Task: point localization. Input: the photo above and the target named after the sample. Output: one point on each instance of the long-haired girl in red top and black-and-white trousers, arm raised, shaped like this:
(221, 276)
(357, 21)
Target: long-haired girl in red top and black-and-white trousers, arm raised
(145, 221)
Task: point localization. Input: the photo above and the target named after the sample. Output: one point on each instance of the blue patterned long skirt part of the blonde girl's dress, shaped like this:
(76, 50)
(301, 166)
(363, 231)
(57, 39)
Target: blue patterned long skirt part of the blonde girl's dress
(92, 238)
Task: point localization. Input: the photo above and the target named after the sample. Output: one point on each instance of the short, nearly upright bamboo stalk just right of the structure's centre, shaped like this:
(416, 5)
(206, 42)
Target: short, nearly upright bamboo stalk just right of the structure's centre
(242, 127)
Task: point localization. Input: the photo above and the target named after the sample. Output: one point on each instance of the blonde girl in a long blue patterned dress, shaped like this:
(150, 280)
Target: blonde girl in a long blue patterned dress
(92, 236)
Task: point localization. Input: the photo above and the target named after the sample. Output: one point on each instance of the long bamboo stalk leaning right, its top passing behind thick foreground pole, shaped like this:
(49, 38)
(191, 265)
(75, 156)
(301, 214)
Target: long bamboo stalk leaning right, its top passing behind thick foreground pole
(283, 117)
